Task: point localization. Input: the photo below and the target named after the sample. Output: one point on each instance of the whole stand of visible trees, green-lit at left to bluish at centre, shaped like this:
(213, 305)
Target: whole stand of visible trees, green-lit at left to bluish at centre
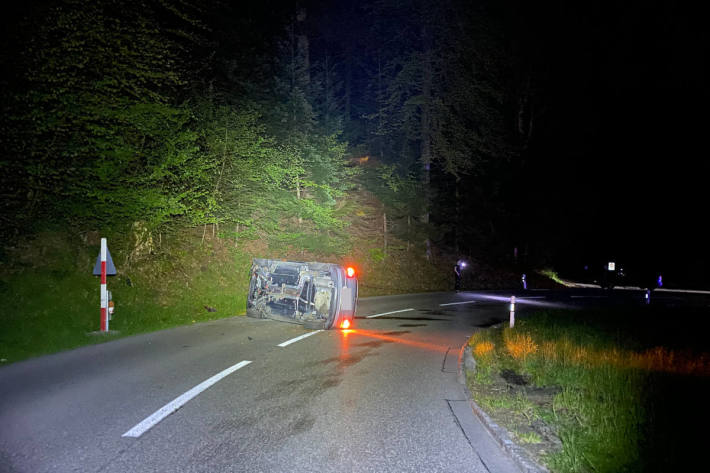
(233, 115)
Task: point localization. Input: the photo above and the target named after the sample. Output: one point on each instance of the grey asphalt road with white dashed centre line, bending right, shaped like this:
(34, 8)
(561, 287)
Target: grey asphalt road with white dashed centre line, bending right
(382, 397)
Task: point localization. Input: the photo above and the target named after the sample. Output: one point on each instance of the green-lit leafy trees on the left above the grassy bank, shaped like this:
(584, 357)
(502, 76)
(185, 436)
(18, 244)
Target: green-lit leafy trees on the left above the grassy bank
(110, 123)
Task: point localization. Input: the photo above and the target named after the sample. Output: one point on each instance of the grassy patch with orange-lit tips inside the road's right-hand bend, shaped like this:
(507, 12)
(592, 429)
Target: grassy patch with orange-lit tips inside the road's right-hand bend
(599, 391)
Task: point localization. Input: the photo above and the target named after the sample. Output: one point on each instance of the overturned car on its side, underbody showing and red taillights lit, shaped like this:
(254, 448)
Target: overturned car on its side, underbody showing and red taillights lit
(317, 295)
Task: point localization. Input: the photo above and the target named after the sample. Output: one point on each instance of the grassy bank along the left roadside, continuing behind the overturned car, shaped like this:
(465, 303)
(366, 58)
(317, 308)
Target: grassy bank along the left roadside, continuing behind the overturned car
(49, 300)
